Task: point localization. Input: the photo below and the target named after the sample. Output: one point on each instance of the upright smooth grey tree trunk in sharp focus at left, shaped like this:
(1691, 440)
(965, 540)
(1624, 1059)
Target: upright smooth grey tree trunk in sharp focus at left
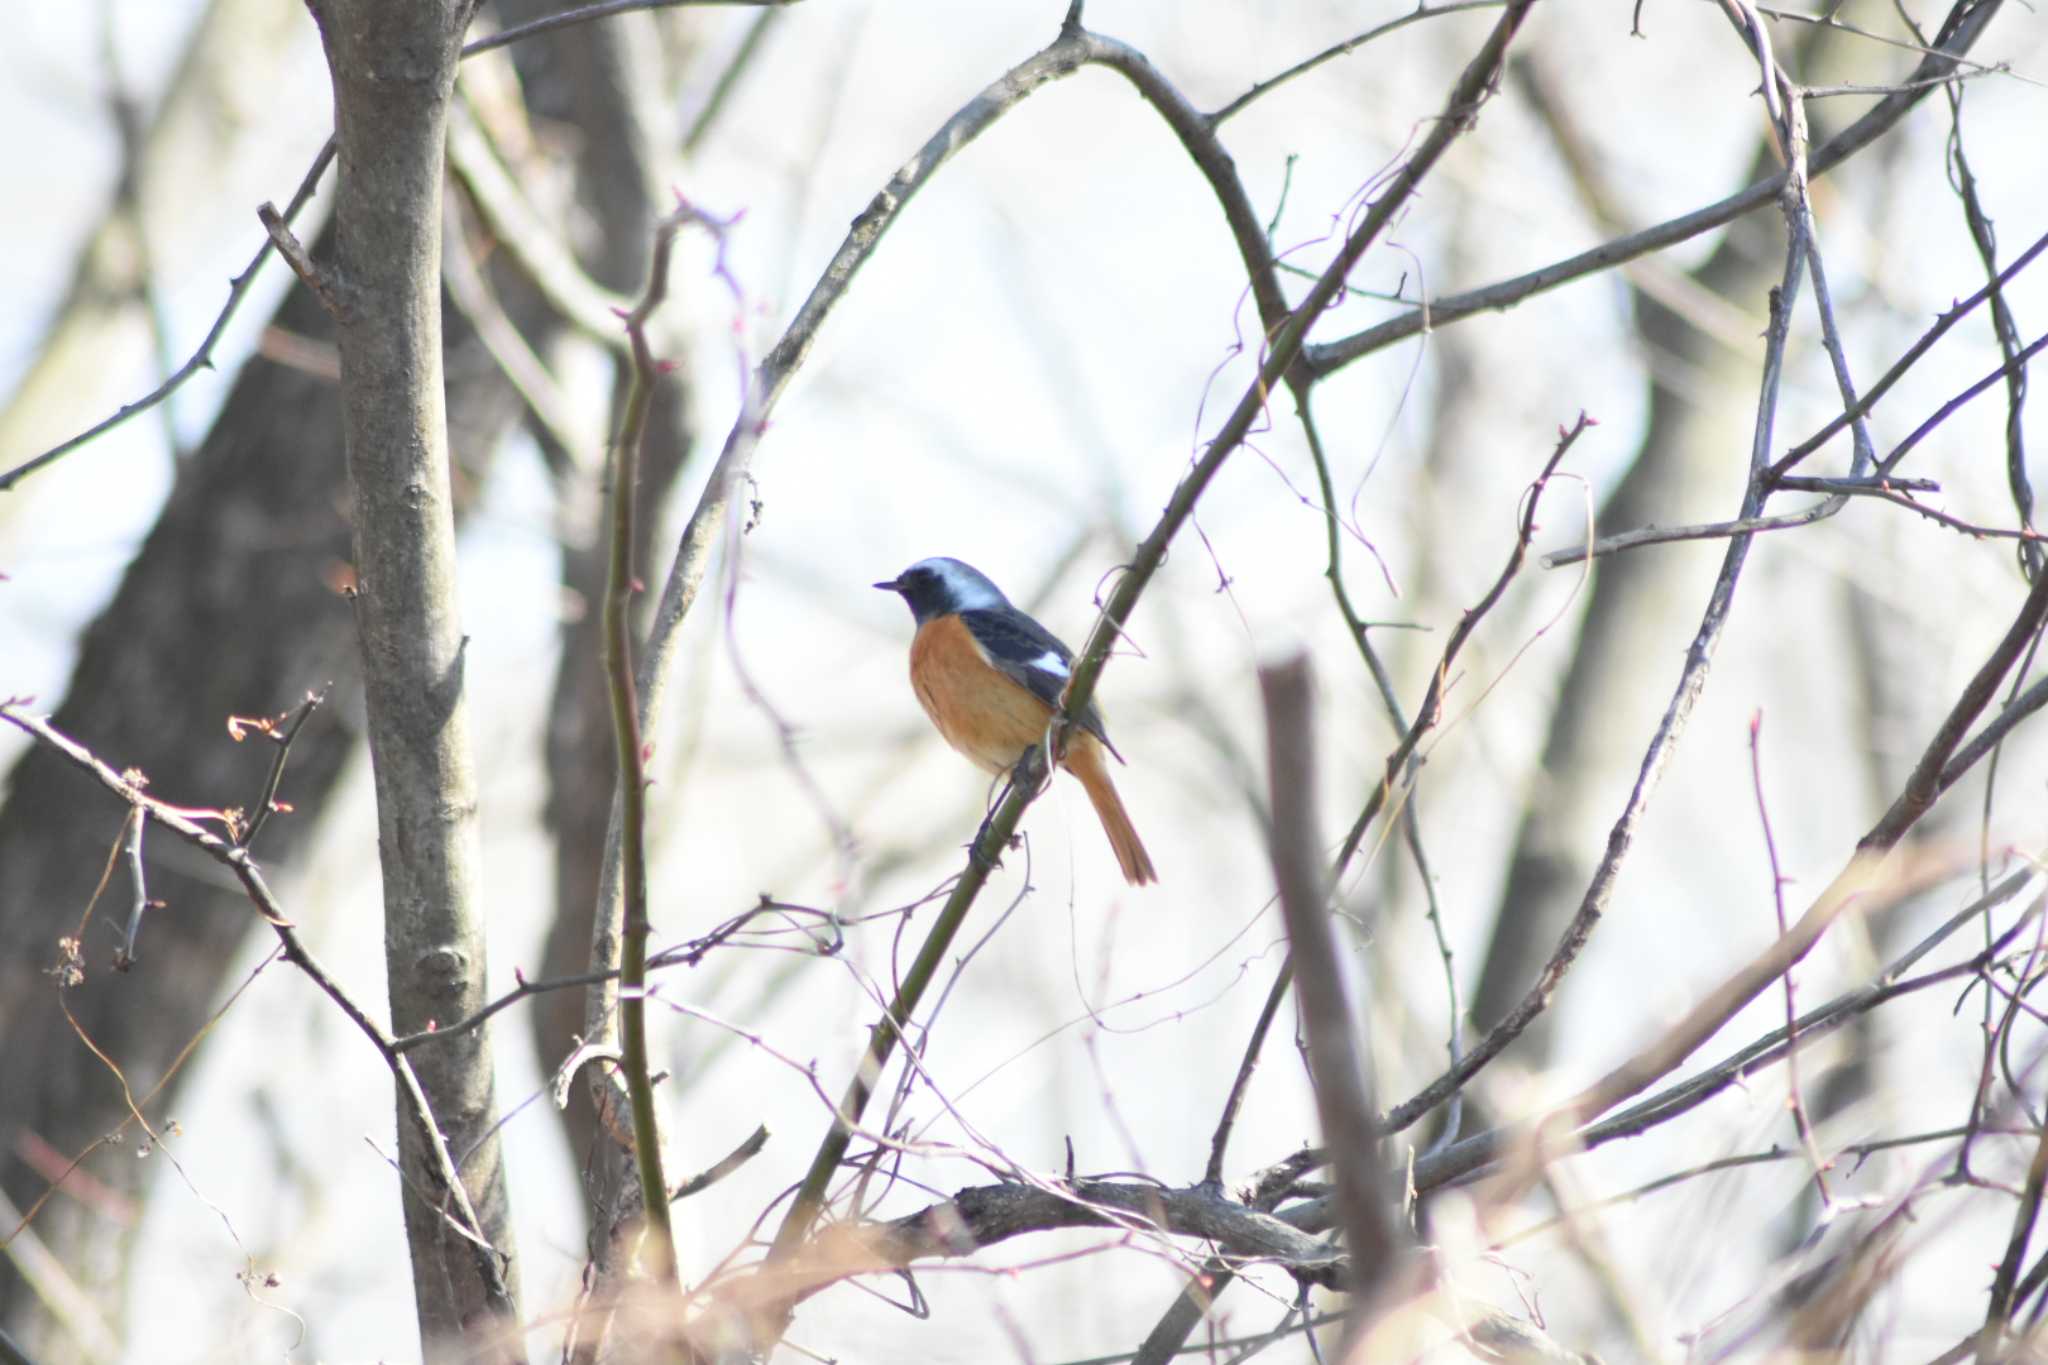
(394, 75)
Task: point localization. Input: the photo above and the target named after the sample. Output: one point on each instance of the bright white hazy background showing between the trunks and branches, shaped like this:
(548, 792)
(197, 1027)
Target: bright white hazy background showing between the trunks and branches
(1029, 357)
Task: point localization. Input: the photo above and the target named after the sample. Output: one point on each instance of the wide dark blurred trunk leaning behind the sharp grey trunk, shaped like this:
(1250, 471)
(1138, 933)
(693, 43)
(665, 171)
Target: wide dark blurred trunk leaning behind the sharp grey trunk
(228, 609)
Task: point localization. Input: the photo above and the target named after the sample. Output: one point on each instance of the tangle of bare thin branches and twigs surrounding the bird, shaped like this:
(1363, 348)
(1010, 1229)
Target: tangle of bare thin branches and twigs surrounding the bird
(1324, 1217)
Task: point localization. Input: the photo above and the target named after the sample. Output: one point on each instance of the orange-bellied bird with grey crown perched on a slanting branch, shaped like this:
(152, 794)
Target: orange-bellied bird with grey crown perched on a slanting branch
(990, 678)
